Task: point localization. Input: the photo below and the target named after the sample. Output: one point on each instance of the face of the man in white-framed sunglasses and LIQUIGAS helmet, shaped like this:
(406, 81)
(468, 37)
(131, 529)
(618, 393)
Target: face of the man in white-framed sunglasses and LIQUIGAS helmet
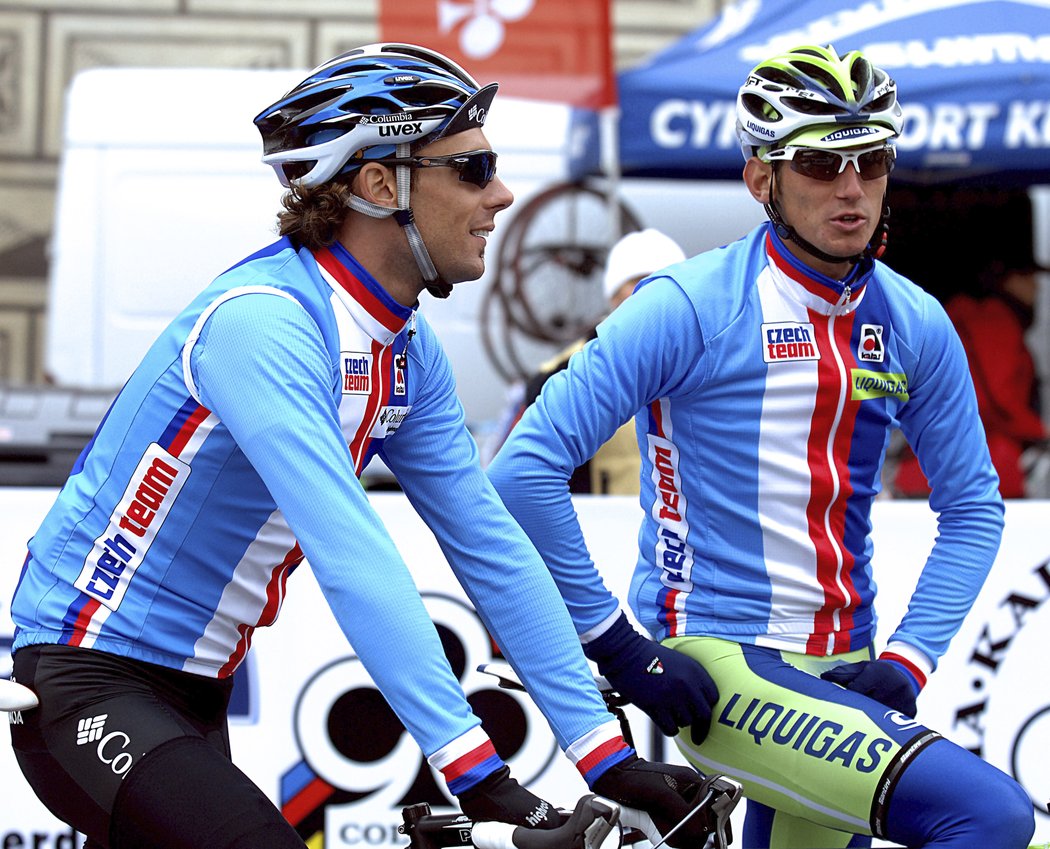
(839, 217)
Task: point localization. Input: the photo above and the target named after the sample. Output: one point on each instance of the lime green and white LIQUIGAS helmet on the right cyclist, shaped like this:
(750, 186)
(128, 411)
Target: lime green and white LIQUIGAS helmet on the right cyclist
(813, 97)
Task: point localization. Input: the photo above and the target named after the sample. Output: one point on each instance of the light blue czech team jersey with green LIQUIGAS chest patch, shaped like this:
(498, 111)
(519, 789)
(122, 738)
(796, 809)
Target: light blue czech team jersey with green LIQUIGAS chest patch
(764, 396)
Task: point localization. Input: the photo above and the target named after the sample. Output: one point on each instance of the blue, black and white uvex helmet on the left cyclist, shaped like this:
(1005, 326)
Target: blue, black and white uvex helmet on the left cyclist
(363, 105)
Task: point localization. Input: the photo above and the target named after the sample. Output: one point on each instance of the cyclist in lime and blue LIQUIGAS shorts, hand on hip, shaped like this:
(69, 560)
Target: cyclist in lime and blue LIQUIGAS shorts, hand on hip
(765, 378)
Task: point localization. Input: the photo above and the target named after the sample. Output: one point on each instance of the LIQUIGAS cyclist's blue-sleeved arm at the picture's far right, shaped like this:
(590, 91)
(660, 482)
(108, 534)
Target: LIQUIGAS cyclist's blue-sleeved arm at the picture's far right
(942, 426)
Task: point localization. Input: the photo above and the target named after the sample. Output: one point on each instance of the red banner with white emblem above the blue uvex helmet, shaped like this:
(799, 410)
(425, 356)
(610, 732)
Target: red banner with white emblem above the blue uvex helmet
(547, 50)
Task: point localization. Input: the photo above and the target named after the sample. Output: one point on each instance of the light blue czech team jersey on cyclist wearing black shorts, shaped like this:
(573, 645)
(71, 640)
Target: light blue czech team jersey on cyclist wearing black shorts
(234, 452)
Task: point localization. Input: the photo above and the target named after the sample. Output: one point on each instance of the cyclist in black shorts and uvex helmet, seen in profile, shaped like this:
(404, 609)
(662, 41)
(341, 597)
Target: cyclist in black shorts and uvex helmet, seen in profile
(233, 454)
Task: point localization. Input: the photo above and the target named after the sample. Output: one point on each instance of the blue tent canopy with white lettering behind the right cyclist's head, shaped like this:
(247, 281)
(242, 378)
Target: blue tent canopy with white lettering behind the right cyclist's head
(974, 80)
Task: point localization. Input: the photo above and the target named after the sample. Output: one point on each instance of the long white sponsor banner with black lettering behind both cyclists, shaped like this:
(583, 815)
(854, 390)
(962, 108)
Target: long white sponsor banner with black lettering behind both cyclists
(325, 748)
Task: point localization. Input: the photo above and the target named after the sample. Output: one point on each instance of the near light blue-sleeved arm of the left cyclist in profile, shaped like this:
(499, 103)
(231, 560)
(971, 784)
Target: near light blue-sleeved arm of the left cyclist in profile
(275, 393)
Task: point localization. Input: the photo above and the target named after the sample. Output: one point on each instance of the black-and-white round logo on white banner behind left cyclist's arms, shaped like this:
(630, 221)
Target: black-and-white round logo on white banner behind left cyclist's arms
(360, 767)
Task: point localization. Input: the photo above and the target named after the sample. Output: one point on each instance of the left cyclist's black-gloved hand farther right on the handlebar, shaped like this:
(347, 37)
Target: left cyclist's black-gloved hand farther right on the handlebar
(667, 793)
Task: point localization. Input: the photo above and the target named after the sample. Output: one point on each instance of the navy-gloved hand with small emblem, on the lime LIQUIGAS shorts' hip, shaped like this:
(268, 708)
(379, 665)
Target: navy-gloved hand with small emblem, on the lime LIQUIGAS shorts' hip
(675, 690)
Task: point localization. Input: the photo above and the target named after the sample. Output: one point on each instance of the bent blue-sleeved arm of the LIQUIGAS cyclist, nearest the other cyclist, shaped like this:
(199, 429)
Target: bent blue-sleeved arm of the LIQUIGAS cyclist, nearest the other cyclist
(647, 349)
